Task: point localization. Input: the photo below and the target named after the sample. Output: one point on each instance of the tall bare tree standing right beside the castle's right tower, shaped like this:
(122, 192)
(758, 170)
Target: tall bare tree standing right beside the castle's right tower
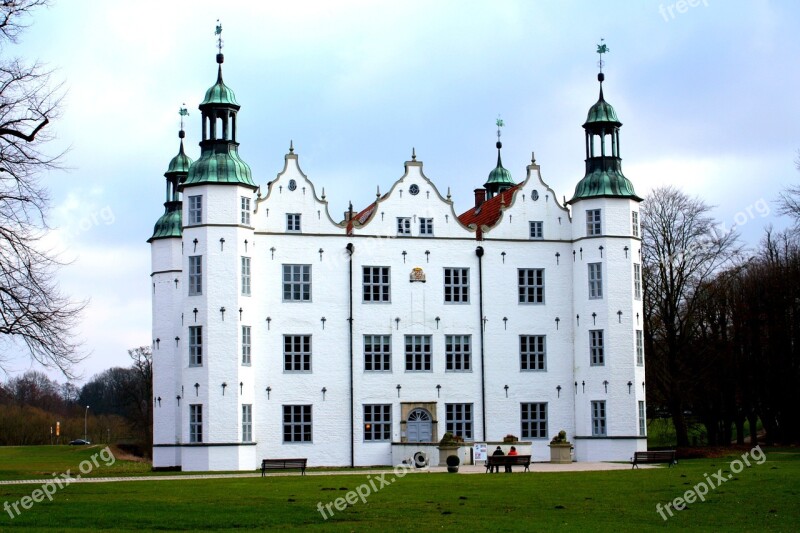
(683, 249)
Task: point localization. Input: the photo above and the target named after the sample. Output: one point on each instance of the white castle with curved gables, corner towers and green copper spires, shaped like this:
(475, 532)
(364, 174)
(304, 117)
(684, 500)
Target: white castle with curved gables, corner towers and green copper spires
(279, 332)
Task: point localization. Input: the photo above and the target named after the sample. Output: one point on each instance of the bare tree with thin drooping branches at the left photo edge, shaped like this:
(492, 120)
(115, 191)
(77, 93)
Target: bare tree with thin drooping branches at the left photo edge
(33, 311)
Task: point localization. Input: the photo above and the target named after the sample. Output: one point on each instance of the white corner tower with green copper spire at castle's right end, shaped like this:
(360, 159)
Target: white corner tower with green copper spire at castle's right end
(607, 294)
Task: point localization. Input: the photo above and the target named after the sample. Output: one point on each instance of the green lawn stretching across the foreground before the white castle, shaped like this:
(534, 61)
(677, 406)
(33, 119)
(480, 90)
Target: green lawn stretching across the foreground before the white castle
(763, 497)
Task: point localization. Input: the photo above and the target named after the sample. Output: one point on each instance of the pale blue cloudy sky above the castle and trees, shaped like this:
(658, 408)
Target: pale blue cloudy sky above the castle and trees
(706, 91)
